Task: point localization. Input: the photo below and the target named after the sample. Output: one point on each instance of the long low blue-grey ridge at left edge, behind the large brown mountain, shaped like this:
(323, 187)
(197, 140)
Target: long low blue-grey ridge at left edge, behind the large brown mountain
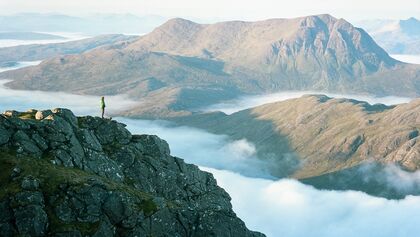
(37, 52)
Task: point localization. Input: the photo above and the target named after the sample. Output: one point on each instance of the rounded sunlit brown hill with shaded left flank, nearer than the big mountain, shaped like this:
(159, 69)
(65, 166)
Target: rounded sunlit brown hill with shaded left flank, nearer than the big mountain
(316, 135)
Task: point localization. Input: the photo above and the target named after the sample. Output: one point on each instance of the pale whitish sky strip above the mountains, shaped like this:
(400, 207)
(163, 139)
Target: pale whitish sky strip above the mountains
(223, 9)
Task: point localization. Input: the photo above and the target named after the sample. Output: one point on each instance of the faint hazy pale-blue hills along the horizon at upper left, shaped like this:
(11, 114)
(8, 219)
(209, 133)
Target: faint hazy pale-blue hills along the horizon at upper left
(93, 25)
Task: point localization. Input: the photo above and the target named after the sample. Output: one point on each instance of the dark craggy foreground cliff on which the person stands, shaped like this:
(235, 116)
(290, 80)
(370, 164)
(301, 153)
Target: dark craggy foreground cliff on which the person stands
(68, 176)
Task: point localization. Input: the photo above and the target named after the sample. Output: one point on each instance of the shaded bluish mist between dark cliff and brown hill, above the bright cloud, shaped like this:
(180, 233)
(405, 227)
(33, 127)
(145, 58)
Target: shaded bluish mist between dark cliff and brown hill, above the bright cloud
(205, 149)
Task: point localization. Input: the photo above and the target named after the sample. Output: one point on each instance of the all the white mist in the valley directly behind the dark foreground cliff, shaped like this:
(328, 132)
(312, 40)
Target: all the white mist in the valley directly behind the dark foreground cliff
(275, 207)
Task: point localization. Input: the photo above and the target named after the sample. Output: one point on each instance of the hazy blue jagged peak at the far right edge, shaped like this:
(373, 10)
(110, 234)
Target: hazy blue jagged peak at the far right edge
(395, 36)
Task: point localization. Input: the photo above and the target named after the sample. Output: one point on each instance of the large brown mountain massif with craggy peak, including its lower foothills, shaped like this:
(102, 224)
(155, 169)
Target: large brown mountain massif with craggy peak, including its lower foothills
(182, 65)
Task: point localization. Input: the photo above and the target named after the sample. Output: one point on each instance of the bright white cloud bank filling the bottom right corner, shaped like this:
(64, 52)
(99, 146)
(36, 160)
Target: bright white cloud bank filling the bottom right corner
(289, 208)
